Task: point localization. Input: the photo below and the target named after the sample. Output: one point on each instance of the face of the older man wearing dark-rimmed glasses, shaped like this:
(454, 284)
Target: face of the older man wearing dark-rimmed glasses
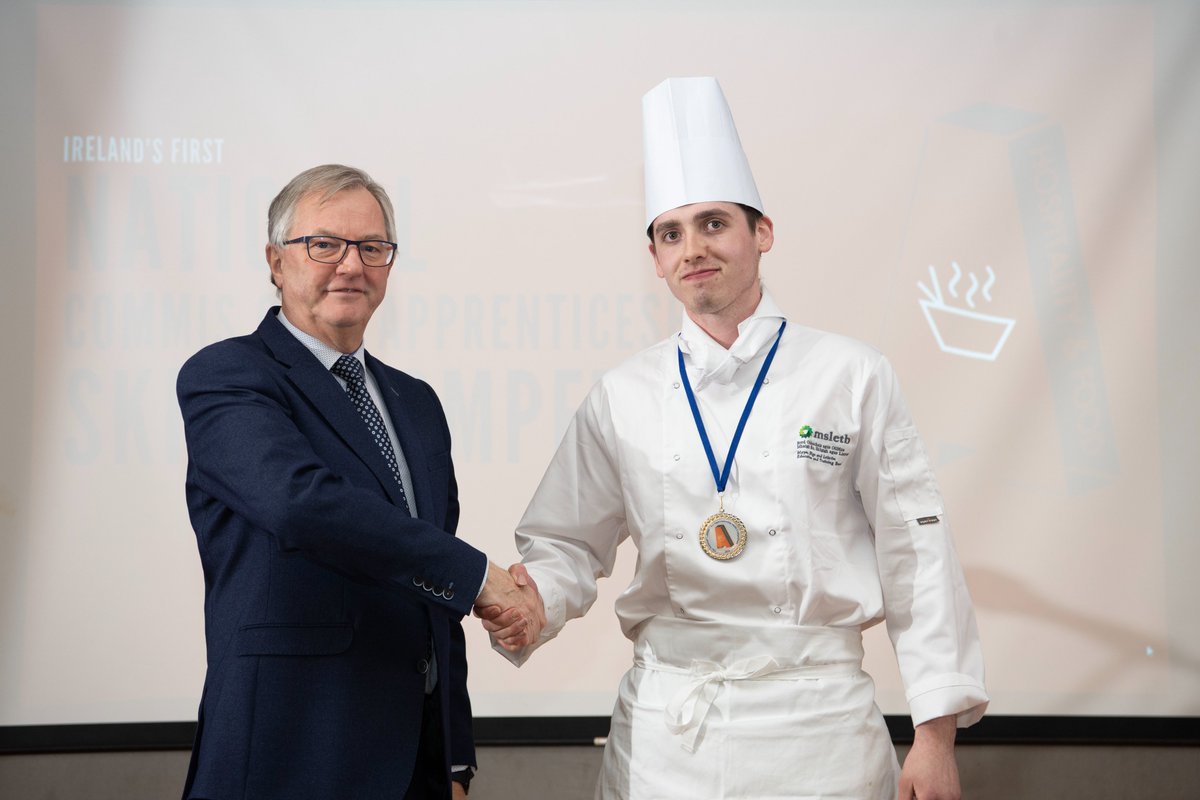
(332, 302)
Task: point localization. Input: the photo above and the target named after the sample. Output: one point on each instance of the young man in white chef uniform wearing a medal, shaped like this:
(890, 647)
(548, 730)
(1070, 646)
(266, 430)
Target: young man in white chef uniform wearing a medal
(781, 501)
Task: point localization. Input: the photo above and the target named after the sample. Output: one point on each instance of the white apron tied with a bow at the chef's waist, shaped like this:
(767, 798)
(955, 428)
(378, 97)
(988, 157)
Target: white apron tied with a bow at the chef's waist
(713, 711)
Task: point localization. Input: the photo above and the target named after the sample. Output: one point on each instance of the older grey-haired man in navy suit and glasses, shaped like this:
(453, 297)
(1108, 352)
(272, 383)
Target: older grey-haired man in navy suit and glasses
(323, 497)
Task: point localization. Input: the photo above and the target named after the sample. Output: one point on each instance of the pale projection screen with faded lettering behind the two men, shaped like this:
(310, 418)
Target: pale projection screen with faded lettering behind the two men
(1001, 197)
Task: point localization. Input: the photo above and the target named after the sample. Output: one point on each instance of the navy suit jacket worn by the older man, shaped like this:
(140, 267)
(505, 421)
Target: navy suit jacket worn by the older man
(322, 596)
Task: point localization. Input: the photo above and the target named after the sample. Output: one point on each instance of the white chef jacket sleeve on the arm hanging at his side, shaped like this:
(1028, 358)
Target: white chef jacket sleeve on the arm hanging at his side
(927, 607)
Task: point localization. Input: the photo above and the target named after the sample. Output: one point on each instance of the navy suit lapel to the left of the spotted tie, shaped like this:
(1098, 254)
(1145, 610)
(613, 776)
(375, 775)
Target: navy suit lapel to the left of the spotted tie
(320, 387)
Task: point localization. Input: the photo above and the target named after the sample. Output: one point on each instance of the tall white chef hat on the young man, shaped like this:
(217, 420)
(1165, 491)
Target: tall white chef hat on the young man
(692, 148)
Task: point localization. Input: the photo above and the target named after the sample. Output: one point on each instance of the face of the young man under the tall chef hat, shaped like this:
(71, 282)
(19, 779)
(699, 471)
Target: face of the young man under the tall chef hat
(710, 257)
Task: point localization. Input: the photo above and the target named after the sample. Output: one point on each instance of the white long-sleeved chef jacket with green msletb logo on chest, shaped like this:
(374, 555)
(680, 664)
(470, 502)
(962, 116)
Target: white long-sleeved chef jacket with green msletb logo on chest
(845, 520)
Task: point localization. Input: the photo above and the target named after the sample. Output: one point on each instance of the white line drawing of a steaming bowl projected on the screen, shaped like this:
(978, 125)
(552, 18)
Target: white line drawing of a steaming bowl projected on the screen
(964, 332)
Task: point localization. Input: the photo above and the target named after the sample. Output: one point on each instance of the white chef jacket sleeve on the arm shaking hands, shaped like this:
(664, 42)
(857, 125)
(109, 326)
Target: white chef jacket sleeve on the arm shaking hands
(568, 537)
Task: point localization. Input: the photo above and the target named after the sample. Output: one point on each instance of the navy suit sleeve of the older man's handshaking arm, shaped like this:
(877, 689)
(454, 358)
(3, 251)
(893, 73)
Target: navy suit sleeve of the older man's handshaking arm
(249, 456)
